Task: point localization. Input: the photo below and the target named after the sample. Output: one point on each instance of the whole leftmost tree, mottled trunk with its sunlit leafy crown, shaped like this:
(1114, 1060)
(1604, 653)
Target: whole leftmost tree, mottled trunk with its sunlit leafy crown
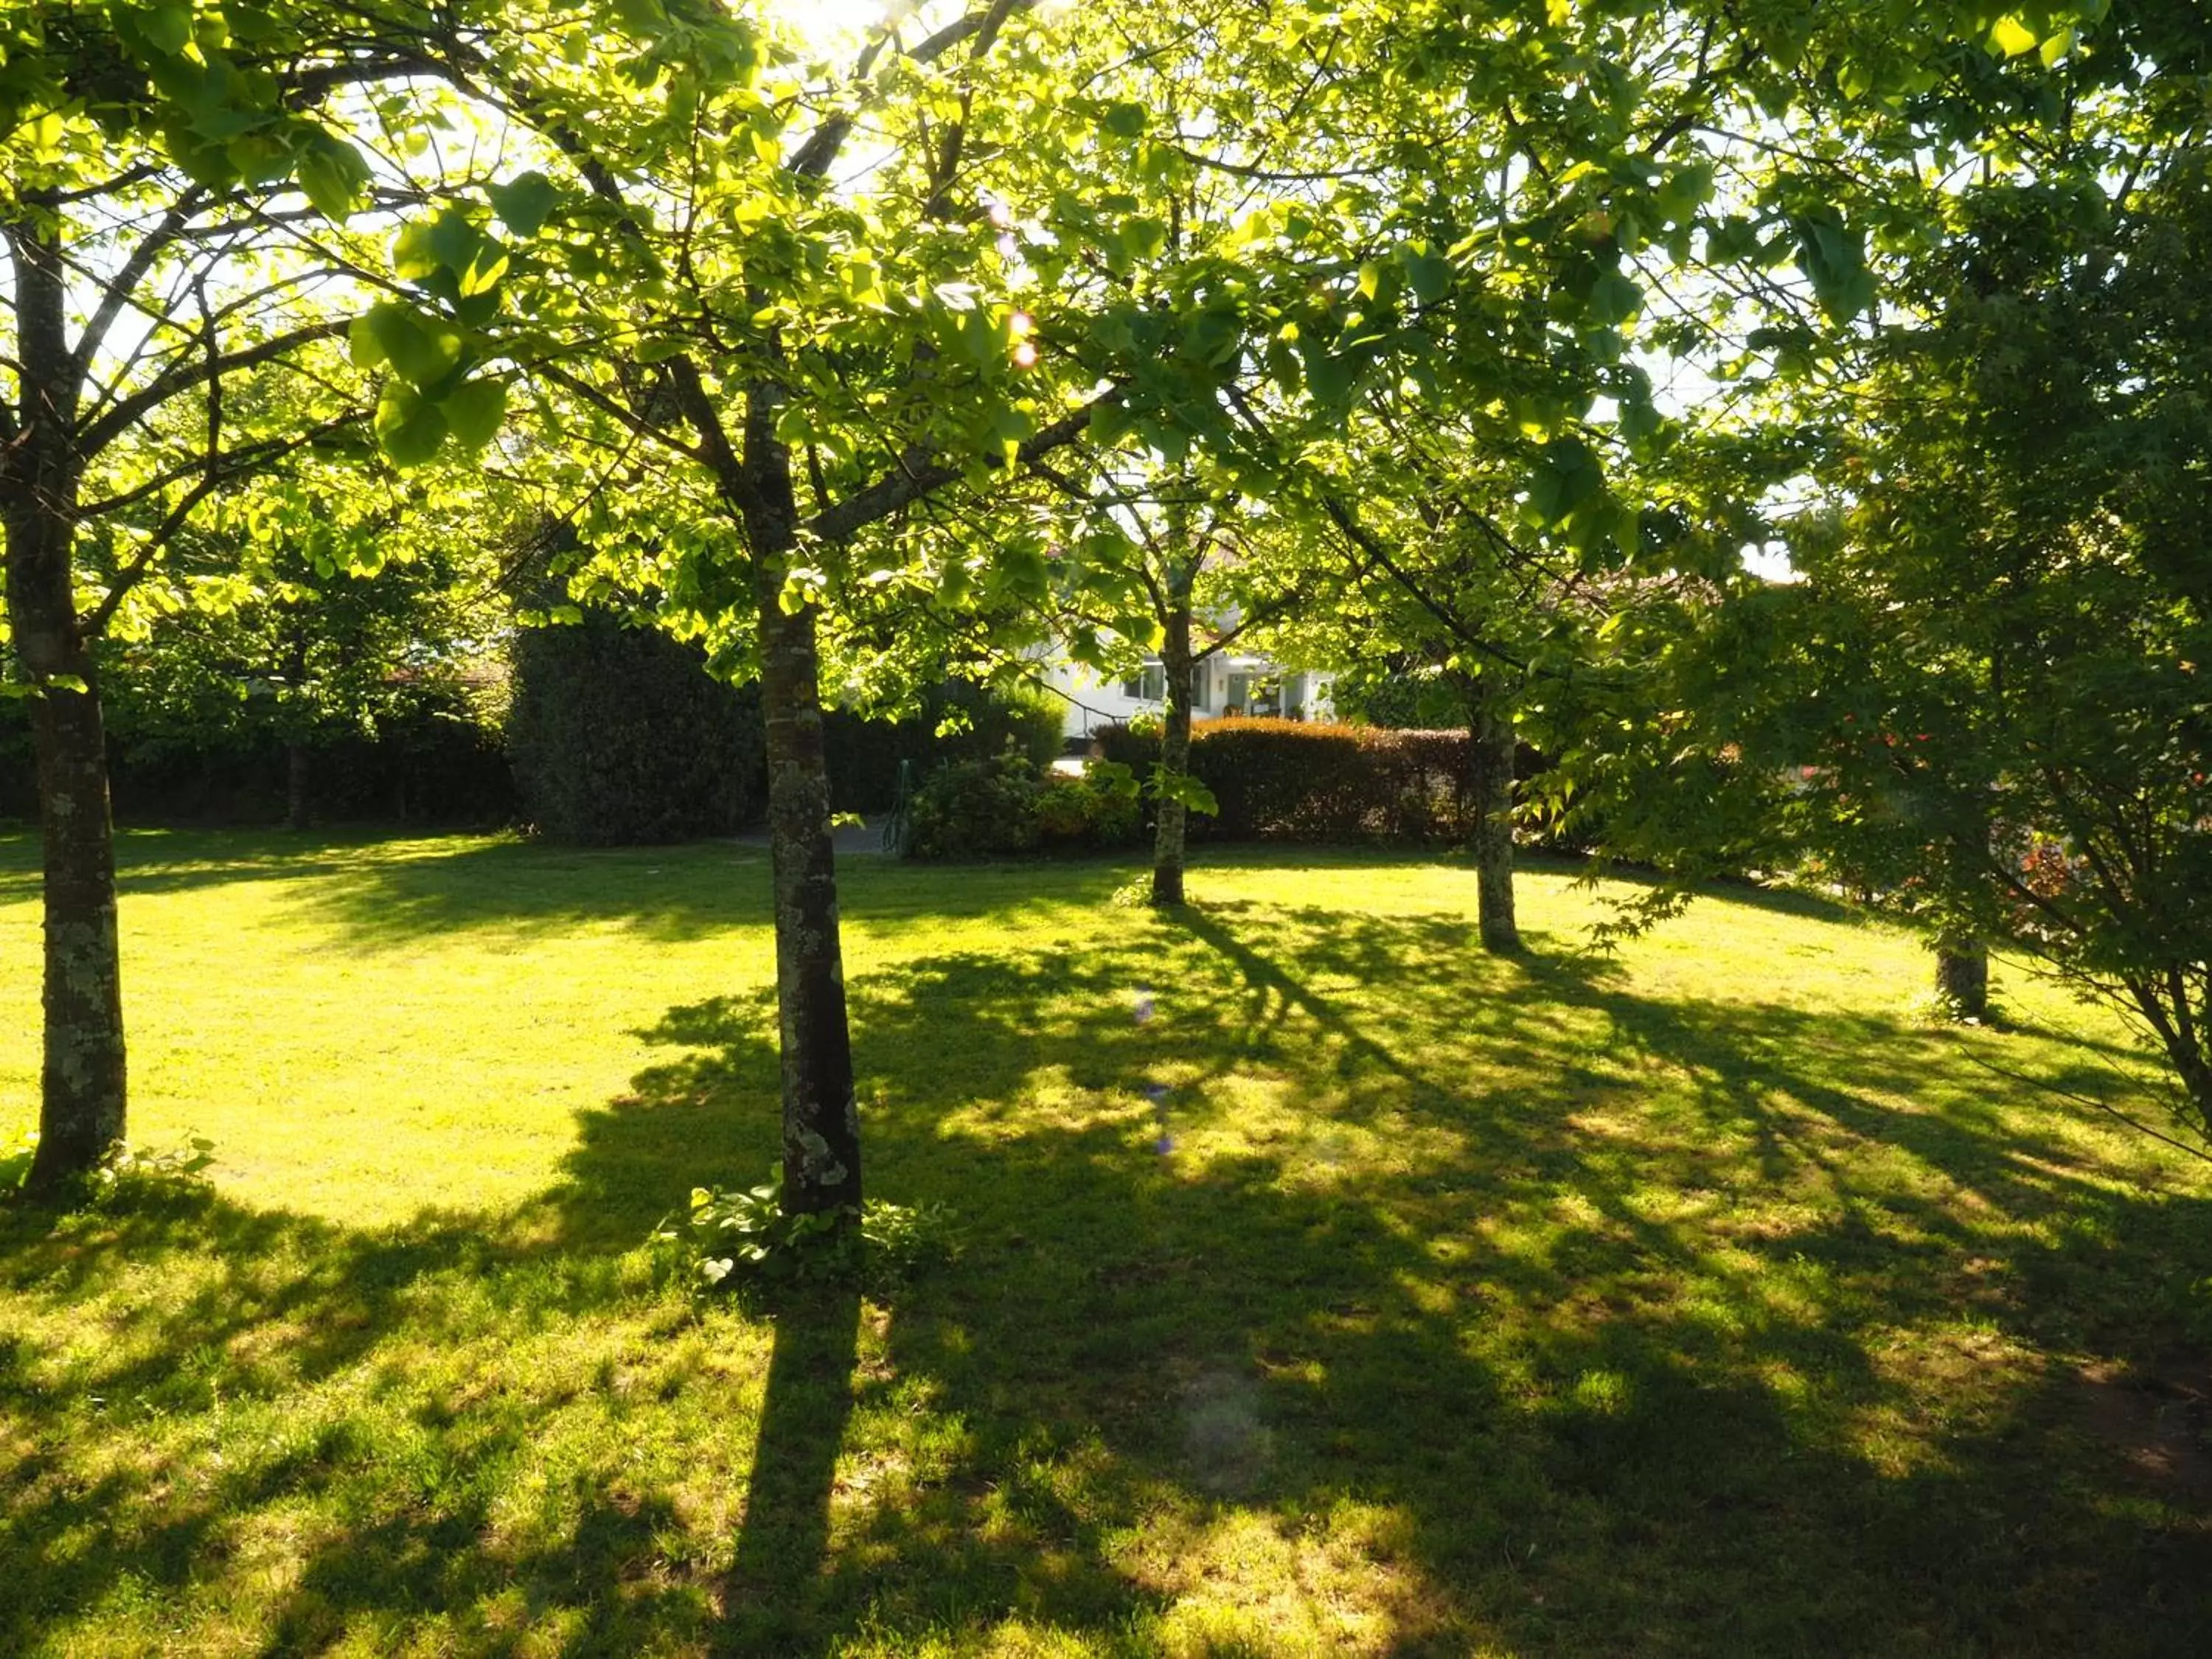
(160, 167)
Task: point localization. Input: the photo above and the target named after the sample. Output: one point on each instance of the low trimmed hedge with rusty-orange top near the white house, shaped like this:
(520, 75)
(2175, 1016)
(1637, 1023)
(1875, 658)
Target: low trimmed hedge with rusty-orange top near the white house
(1308, 782)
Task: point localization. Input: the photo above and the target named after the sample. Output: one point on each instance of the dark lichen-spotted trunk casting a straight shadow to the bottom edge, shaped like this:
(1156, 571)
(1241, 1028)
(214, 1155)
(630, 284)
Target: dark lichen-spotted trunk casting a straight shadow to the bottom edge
(822, 1120)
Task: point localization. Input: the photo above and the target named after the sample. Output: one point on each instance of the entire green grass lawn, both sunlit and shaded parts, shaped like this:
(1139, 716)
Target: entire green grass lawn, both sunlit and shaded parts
(1691, 1302)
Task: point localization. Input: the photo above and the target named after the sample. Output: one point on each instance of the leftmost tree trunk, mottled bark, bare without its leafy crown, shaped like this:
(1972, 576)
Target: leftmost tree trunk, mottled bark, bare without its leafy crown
(83, 1092)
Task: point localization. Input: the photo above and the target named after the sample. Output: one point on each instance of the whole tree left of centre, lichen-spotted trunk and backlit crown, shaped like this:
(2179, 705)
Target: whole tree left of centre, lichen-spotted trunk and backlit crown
(793, 364)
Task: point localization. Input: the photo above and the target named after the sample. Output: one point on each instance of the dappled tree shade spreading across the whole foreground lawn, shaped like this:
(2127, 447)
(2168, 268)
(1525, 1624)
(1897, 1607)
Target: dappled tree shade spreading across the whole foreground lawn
(1366, 1297)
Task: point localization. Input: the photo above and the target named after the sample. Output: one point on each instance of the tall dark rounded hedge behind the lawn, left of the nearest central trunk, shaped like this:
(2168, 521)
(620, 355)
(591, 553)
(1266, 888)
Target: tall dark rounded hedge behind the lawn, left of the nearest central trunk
(618, 738)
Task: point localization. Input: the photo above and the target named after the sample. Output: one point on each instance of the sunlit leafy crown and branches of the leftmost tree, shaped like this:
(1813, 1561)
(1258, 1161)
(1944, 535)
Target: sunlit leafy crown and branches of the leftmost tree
(163, 154)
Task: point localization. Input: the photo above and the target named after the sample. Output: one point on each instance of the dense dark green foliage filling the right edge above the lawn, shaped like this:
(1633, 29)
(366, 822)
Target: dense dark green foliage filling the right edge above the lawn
(1981, 705)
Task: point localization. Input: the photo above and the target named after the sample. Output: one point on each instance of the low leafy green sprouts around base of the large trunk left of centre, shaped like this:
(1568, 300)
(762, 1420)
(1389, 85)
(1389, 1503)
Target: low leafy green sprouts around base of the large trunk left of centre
(735, 1240)
